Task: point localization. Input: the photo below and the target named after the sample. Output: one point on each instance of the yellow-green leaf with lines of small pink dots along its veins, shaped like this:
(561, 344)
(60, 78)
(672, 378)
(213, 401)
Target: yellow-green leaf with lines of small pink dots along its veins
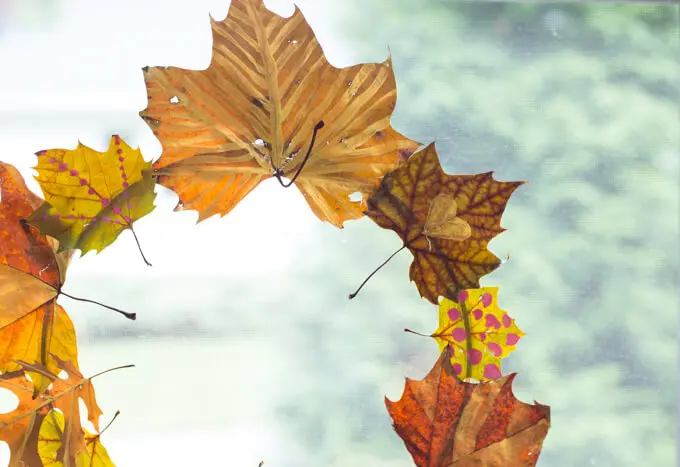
(91, 197)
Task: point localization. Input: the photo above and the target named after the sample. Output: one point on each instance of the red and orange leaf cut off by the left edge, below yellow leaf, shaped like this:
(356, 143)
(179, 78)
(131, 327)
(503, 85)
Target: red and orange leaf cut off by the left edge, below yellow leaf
(32, 325)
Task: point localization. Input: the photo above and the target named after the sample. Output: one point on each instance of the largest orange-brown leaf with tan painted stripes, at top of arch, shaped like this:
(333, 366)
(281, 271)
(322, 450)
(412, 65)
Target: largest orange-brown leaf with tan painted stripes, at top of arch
(254, 113)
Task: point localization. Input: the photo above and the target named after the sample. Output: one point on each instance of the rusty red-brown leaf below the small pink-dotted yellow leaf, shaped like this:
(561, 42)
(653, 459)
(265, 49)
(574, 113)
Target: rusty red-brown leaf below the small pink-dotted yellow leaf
(445, 422)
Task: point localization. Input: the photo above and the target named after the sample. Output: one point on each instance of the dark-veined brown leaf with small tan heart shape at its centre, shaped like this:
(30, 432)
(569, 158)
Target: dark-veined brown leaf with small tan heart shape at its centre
(446, 221)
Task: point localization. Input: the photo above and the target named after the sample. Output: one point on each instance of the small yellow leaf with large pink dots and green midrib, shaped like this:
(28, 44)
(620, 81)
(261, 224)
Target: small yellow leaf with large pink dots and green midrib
(477, 333)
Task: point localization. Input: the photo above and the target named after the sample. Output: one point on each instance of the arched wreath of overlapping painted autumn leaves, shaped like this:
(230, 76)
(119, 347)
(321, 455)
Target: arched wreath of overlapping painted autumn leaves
(269, 105)
